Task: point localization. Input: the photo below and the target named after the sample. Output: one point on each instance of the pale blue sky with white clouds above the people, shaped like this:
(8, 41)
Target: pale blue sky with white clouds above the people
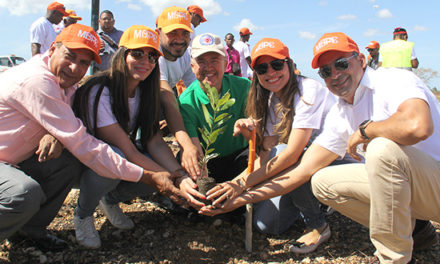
(298, 24)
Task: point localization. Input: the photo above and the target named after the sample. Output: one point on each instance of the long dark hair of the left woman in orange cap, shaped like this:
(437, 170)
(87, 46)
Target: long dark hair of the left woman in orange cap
(116, 79)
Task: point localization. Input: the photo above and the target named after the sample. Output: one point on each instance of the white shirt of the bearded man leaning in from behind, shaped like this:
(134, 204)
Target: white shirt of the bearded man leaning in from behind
(173, 71)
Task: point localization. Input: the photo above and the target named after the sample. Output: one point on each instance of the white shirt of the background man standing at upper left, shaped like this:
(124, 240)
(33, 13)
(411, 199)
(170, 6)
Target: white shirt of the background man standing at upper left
(43, 33)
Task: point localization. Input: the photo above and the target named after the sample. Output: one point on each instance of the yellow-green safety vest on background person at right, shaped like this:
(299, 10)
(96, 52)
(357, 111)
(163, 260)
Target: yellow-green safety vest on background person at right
(396, 53)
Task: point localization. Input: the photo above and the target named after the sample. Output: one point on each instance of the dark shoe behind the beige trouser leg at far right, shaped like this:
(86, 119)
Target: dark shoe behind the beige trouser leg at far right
(424, 235)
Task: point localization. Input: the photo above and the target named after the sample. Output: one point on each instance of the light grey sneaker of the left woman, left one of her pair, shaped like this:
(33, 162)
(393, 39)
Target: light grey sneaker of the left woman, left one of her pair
(85, 232)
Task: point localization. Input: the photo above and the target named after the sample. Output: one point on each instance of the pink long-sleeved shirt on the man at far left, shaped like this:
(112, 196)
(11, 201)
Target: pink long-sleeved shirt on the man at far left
(32, 104)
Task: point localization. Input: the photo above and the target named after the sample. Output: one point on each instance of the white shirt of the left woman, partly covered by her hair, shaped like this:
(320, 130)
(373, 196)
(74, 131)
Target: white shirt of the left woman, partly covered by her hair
(105, 114)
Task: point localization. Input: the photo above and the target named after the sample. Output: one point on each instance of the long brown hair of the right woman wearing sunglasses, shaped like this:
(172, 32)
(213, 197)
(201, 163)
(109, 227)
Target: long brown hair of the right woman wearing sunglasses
(257, 106)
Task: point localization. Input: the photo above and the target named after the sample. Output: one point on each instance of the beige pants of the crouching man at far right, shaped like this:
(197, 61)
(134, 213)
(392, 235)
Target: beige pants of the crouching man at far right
(395, 186)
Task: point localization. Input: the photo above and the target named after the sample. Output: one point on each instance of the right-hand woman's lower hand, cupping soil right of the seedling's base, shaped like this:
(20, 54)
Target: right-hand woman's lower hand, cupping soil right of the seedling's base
(224, 191)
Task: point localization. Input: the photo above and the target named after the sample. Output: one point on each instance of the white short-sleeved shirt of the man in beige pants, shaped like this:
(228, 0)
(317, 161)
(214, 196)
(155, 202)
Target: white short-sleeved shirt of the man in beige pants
(378, 96)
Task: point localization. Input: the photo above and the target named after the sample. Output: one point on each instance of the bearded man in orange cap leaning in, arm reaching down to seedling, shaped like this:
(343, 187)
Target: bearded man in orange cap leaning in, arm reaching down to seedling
(174, 28)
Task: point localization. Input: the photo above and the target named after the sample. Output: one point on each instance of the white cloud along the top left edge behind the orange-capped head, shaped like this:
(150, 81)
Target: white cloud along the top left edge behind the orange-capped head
(24, 7)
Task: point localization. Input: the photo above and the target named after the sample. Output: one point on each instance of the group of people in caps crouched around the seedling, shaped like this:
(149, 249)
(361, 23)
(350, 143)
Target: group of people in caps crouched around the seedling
(105, 136)
